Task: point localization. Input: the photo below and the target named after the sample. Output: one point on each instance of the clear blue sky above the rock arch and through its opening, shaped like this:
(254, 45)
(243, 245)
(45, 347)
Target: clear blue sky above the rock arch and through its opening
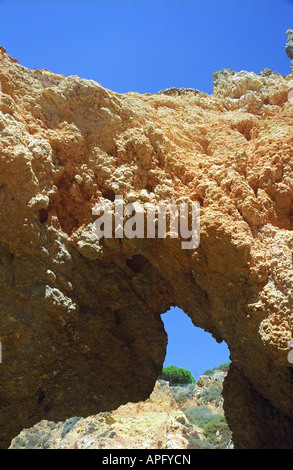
(145, 46)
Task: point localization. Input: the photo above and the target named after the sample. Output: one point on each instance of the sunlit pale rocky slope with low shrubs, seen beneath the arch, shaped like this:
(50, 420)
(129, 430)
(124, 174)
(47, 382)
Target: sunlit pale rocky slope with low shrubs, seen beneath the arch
(178, 417)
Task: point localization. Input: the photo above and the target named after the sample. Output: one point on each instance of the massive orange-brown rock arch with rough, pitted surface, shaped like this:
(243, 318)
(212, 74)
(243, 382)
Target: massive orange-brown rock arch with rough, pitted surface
(80, 326)
